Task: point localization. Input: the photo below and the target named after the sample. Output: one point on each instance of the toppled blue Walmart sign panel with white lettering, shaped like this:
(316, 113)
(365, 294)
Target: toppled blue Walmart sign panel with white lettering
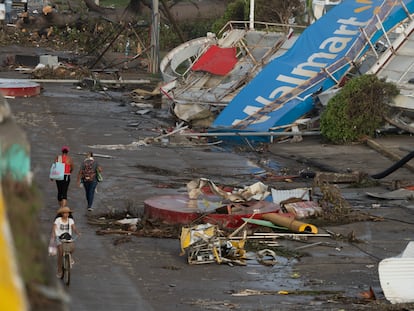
(282, 92)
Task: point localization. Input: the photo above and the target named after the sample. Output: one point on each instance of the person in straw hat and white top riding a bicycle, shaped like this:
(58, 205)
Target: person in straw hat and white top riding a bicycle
(63, 228)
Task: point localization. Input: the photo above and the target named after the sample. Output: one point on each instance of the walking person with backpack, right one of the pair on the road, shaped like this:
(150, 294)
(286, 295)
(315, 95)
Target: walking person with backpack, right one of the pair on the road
(88, 177)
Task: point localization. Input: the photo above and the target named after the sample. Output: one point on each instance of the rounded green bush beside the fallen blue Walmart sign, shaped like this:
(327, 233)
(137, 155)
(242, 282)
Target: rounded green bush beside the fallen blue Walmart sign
(357, 110)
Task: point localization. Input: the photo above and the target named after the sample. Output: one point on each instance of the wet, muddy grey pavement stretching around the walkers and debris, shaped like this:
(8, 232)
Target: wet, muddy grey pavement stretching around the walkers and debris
(131, 272)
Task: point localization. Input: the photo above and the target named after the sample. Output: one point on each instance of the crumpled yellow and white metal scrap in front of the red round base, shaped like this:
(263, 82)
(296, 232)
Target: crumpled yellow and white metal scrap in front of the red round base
(204, 244)
